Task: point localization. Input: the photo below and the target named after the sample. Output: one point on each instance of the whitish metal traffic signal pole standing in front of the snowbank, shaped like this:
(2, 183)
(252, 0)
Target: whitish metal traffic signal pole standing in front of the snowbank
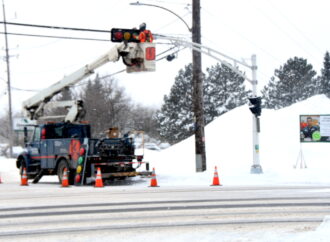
(256, 167)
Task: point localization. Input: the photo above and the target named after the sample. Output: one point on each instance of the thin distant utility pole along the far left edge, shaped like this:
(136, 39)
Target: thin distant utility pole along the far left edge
(9, 85)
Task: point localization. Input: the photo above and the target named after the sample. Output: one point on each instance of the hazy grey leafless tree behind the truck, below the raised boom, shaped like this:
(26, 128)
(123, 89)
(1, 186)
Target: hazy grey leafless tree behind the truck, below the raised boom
(108, 105)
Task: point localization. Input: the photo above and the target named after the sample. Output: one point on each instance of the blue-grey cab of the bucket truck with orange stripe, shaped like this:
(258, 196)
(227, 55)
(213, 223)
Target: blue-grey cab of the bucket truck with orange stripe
(50, 145)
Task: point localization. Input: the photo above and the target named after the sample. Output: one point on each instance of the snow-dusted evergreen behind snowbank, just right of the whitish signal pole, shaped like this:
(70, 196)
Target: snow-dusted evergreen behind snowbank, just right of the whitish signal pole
(295, 81)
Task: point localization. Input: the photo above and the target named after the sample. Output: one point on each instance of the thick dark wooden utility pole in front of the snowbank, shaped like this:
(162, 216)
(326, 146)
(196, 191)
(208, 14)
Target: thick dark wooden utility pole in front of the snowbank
(198, 90)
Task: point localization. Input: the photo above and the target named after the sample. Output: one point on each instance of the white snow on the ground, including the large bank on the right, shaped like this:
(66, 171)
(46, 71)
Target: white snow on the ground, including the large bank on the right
(229, 147)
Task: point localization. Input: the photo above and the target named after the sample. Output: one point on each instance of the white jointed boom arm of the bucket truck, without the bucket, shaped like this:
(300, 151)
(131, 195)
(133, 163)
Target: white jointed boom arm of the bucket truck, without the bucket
(34, 106)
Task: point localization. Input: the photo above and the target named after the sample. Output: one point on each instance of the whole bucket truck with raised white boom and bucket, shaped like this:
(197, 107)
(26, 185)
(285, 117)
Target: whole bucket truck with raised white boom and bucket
(68, 144)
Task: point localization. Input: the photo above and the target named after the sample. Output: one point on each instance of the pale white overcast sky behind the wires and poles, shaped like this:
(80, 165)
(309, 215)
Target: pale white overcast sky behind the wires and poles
(273, 30)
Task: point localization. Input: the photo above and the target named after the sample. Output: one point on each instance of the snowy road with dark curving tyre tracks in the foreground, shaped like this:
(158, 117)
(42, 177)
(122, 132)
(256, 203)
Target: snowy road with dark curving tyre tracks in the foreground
(48, 211)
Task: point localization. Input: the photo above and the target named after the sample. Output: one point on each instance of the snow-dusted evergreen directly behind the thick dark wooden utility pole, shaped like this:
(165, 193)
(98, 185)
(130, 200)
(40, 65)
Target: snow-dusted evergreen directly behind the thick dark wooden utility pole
(223, 90)
